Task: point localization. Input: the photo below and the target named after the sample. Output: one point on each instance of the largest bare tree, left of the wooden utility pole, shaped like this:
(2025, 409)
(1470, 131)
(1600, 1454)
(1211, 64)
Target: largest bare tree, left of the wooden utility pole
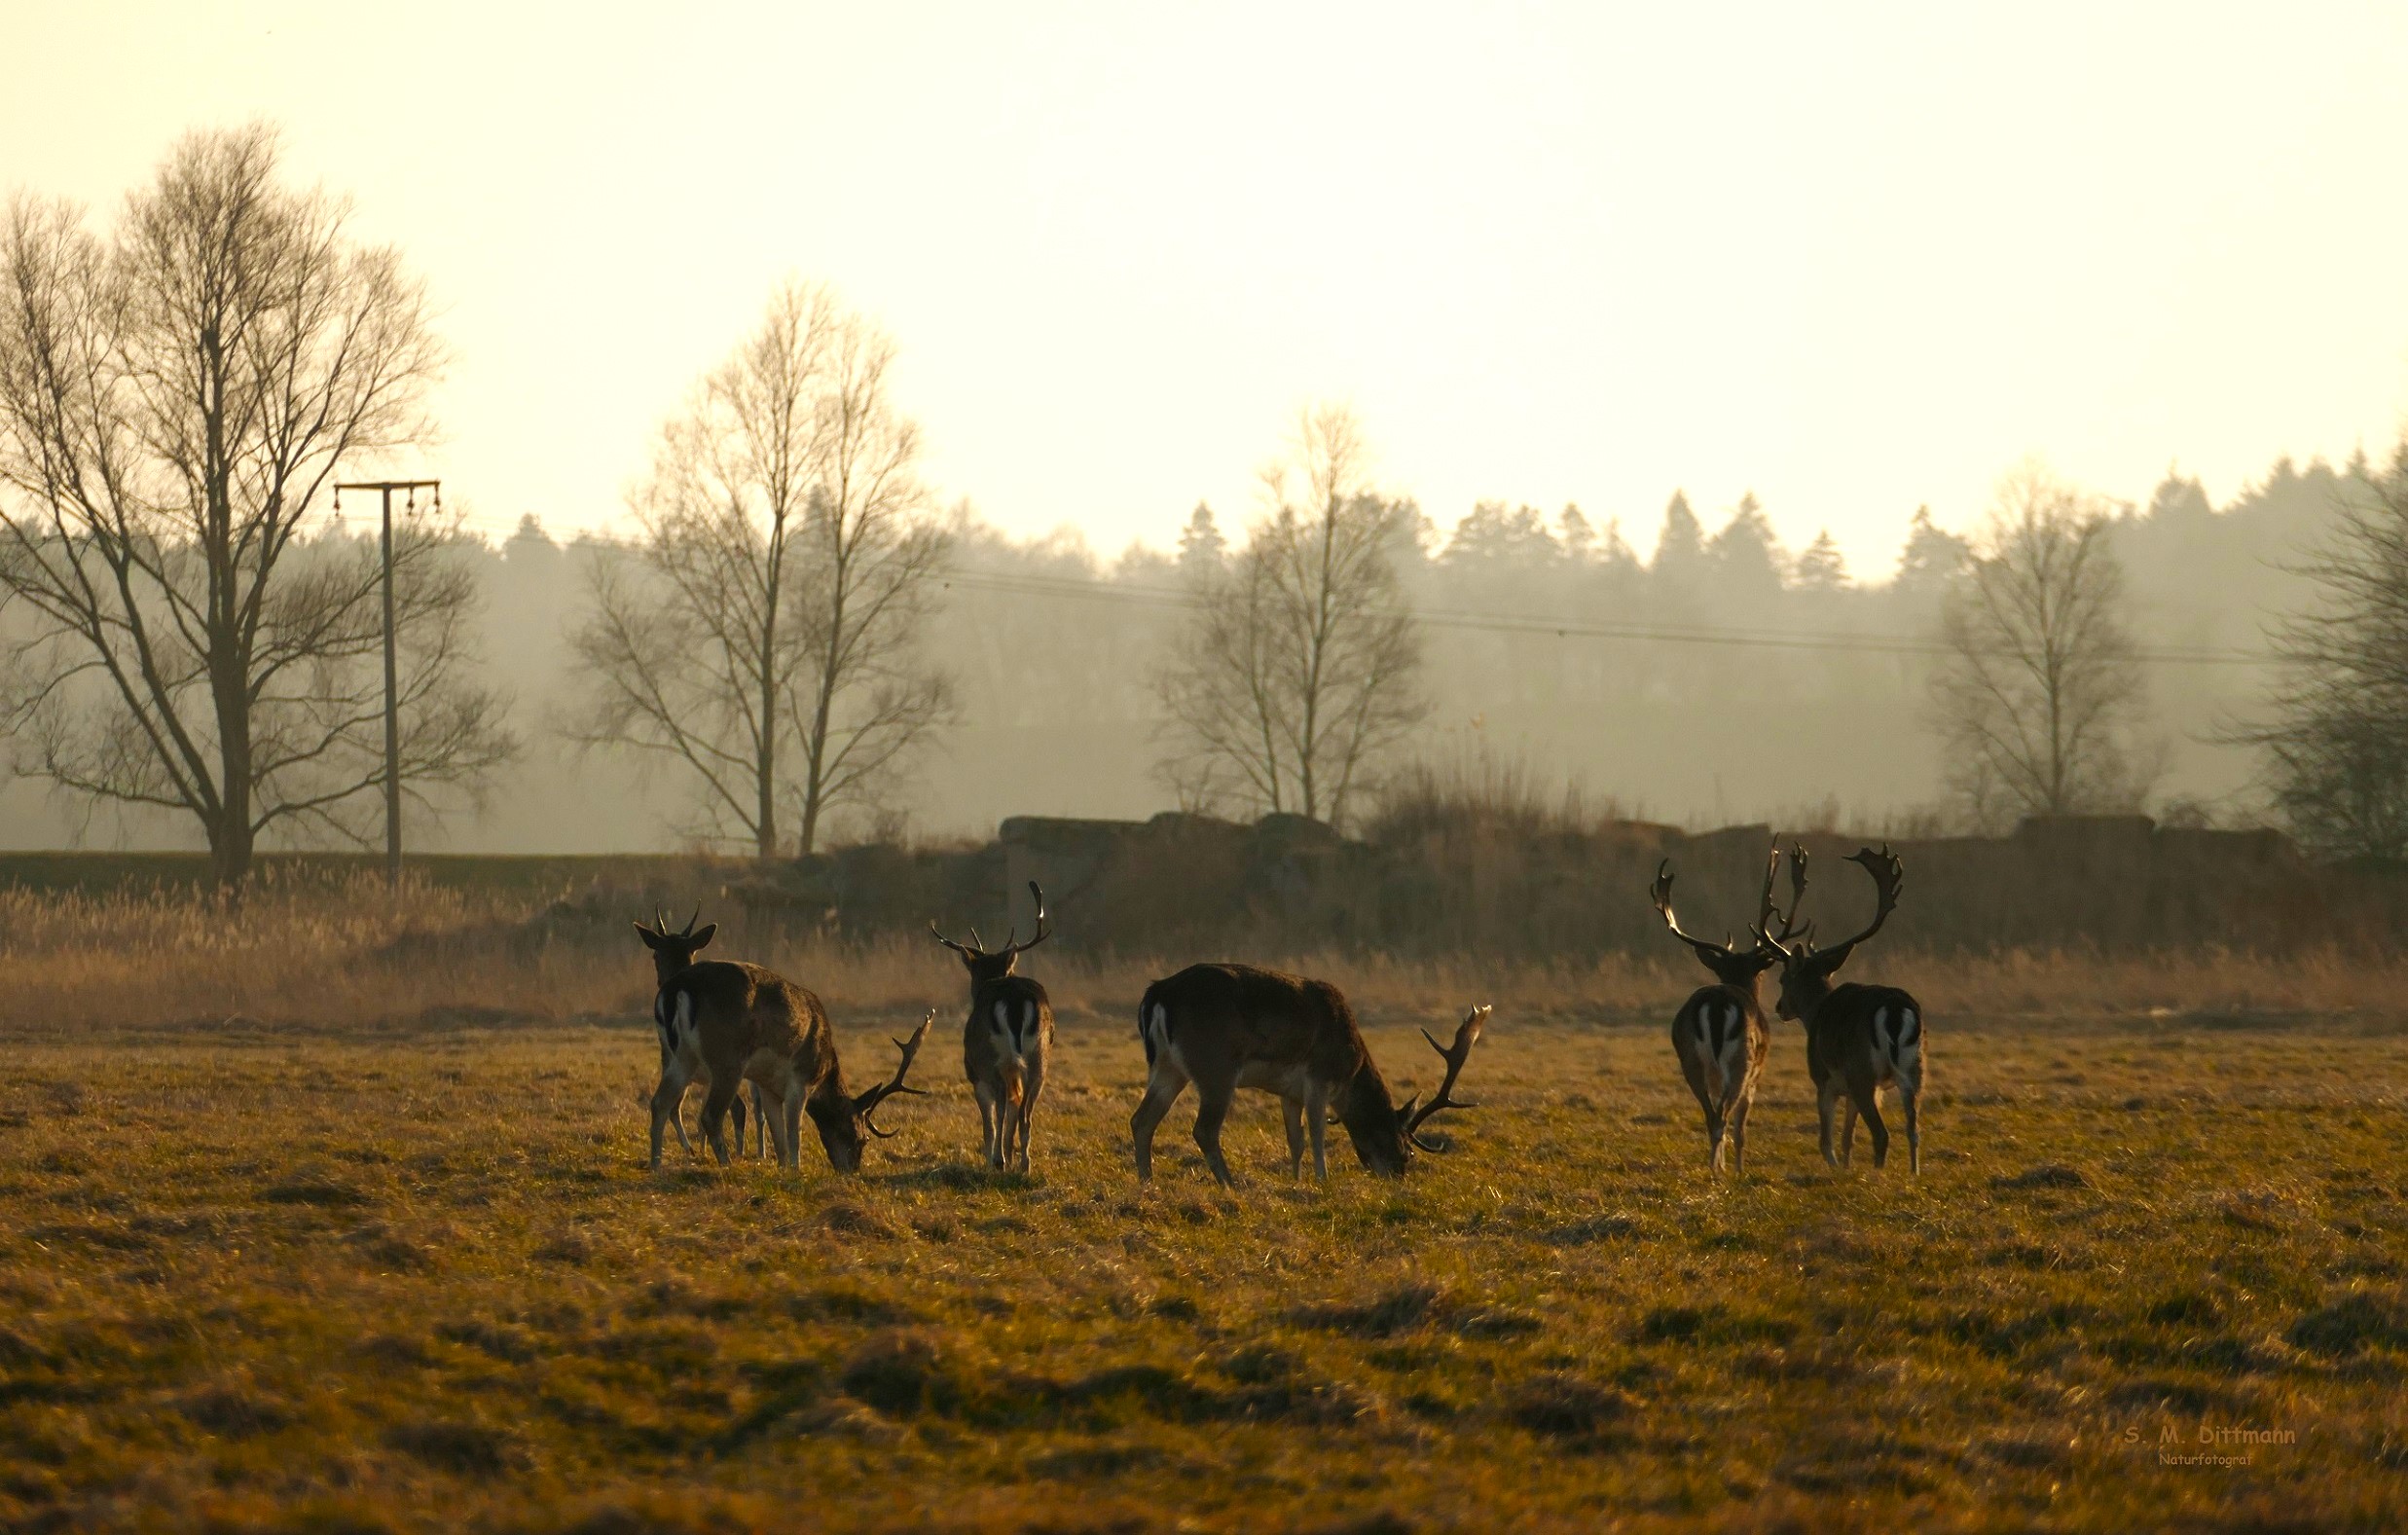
(175, 401)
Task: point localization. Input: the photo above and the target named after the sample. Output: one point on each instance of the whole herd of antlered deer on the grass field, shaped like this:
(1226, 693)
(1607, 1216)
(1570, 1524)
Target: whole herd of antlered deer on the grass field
(1234, 1025)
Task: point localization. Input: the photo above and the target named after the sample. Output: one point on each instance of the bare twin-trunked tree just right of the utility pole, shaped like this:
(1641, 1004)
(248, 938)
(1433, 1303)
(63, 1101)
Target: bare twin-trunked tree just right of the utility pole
(765, 633)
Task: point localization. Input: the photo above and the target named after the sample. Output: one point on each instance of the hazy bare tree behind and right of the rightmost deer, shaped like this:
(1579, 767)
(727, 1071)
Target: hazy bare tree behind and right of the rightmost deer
(2041, 693)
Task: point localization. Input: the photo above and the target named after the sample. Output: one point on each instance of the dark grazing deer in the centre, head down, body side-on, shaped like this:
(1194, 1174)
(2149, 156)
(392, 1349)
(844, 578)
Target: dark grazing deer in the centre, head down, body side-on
(1234, 1025)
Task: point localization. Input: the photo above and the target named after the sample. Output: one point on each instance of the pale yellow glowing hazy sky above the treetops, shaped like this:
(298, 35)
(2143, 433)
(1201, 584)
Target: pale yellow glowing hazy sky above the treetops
(1853, 259)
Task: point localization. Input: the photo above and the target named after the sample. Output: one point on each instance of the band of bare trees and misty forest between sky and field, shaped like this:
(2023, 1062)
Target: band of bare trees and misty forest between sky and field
(796, 642)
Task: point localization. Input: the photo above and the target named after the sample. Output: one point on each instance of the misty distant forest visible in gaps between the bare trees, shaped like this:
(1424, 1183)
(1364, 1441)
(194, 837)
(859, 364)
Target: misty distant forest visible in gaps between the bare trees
(1053, 649)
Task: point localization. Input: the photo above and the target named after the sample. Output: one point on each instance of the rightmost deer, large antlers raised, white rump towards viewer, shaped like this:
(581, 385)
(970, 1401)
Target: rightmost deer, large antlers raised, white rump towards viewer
(1858, 1037)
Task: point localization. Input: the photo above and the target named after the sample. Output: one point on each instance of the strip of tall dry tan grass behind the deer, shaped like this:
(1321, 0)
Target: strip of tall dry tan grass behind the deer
(317, 953)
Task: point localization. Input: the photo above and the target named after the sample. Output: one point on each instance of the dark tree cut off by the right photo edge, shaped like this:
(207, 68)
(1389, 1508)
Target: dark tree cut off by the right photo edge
(2337, 724)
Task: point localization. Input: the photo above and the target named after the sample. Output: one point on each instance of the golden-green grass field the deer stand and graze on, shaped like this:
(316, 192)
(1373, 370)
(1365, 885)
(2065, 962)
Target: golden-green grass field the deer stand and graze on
(418, 1278)
